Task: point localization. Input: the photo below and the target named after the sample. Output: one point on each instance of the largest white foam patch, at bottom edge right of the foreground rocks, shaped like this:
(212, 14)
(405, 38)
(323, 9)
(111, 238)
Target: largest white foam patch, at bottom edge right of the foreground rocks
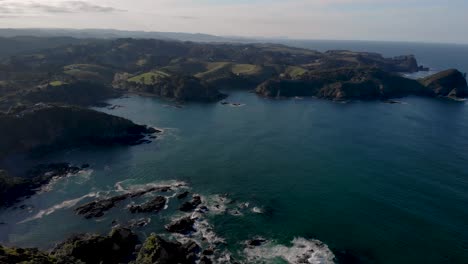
(301, 251)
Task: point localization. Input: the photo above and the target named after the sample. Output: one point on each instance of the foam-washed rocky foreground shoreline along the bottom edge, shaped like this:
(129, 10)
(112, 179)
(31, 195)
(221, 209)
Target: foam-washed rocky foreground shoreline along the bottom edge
(189, 238)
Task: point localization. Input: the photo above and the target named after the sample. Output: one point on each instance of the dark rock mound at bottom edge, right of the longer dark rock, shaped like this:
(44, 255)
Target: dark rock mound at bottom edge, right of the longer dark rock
(156, 250)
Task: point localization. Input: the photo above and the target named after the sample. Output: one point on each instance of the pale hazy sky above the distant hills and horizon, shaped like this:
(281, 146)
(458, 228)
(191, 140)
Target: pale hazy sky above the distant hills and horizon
(408, 20)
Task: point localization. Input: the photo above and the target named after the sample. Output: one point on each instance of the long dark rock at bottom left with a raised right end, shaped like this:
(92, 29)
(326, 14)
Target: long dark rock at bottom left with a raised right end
(117, 247)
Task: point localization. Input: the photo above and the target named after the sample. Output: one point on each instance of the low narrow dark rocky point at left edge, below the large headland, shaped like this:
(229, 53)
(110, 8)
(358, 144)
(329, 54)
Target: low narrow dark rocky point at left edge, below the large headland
(12, 188)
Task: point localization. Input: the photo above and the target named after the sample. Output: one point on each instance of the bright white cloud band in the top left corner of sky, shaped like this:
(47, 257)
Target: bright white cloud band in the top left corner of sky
(10, 7)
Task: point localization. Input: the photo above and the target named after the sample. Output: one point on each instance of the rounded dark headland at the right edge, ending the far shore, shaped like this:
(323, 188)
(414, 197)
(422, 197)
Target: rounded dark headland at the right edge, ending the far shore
(450, 83)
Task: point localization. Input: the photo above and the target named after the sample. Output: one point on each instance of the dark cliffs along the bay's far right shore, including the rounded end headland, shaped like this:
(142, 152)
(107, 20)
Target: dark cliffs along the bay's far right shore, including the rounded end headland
(364, 84)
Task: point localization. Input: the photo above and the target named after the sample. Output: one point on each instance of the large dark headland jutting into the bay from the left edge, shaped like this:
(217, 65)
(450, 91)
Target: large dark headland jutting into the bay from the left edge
(46, 126)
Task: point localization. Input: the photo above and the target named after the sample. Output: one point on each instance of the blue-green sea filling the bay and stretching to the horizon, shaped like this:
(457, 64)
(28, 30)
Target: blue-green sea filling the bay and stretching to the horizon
(385, 182)
